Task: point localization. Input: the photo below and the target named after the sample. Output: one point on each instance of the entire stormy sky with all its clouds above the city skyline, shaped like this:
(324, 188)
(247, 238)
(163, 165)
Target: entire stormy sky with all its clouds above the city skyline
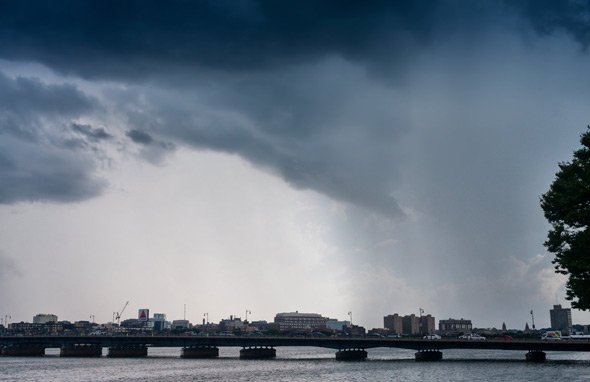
(325, 156)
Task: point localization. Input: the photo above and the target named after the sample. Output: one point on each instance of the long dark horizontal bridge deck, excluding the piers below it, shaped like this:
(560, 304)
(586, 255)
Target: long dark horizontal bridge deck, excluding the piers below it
(277, 341)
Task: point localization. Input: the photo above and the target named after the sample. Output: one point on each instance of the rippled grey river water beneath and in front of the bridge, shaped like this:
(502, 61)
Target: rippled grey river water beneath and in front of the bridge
(300, 364)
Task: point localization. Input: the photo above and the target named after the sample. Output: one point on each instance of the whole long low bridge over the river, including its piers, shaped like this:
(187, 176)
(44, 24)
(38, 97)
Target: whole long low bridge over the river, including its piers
(260, 347)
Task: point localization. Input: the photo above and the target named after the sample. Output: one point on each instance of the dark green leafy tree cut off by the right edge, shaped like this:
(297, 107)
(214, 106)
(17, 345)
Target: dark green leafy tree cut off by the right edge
(567, 208)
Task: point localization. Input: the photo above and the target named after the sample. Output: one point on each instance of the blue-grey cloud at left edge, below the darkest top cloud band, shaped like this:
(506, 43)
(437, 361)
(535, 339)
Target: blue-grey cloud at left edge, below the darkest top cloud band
(35, 162)
